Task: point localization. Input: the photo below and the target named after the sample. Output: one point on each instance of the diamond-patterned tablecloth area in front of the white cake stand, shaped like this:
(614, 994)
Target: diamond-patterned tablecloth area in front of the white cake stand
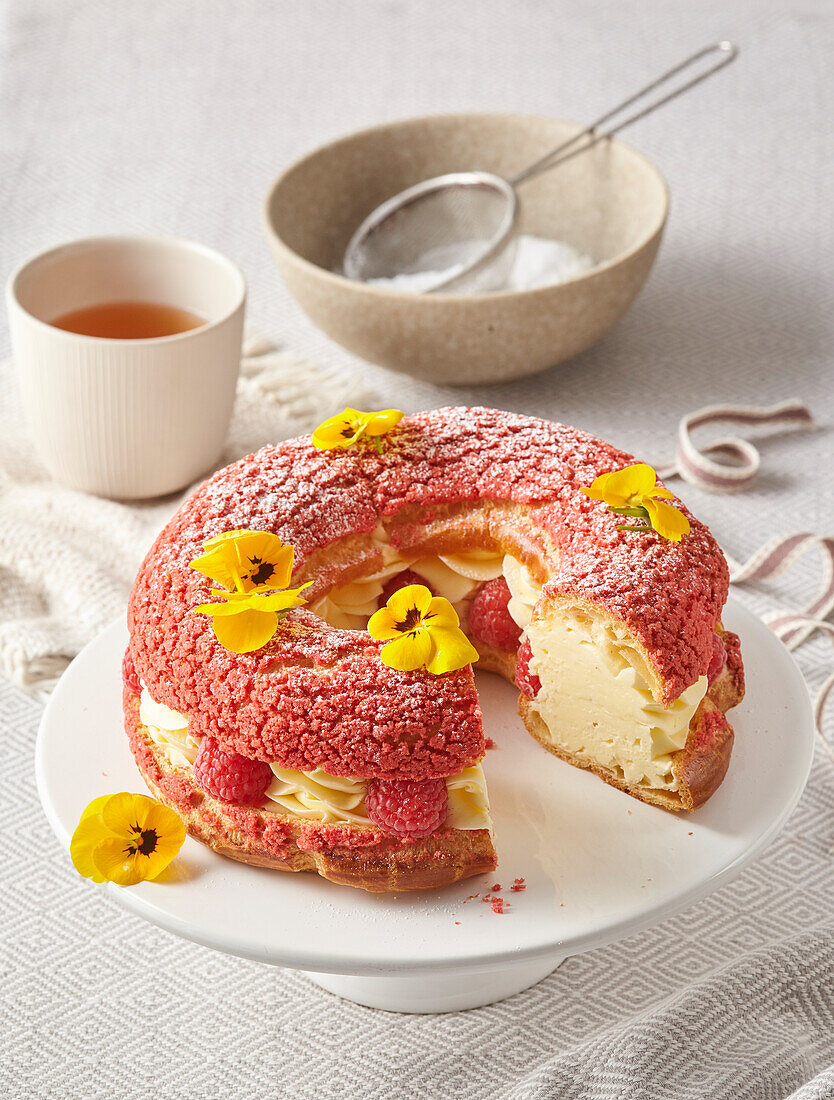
(732, 999)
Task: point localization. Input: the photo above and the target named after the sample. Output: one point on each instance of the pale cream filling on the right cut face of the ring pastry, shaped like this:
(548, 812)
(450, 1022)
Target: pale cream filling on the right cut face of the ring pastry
(597, 702)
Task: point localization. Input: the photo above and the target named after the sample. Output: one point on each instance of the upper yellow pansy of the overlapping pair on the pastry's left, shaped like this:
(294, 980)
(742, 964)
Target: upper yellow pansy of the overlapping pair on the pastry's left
(247, 562)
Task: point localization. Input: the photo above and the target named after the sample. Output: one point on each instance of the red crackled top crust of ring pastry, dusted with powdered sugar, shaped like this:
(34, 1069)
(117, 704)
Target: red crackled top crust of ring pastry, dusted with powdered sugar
(316, 697)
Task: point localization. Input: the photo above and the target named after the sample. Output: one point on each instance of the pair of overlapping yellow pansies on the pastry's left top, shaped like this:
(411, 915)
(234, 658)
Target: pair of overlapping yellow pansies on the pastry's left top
(255, 568)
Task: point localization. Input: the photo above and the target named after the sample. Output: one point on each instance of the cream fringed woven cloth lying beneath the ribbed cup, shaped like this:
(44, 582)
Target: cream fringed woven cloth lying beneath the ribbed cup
(69, 559)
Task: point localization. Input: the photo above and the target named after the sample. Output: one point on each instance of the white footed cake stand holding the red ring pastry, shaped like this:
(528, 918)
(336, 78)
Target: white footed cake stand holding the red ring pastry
(599, 866)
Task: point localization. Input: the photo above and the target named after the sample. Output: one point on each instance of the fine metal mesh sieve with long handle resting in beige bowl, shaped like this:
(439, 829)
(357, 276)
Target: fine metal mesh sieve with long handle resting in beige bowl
(447, 233)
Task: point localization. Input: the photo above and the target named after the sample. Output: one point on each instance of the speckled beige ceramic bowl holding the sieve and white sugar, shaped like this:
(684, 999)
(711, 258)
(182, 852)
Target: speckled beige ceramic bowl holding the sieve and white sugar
(610, 204)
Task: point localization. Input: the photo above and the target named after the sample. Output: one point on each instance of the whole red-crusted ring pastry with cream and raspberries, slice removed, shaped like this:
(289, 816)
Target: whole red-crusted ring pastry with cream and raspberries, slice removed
(310, 753)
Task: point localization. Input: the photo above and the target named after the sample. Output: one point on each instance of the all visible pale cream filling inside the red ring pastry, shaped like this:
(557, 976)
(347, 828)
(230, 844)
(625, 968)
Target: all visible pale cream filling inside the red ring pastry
(596, 699)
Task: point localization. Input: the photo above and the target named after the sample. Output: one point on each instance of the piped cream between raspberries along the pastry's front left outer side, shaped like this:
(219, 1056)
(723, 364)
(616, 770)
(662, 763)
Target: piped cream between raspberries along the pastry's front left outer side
(316, 795)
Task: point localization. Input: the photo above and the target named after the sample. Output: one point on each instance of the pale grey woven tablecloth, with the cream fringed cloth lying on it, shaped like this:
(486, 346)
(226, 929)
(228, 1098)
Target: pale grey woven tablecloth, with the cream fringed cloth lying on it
(175, 117)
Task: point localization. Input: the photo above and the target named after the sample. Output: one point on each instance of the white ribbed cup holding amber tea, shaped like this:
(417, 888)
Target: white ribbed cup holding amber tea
(128, 419)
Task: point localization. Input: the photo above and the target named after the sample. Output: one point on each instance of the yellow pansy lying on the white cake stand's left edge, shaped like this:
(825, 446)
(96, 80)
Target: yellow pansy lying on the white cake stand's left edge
(126, 839)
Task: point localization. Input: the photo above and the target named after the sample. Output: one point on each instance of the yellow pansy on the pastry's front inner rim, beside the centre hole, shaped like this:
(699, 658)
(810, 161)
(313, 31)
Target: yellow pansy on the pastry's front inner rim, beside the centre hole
(421, 630)
